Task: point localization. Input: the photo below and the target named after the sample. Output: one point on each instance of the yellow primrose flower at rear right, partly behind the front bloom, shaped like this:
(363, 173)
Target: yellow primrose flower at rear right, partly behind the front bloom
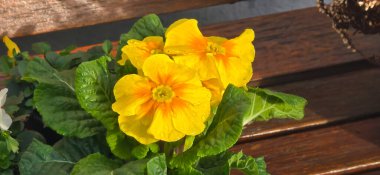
(215, 57)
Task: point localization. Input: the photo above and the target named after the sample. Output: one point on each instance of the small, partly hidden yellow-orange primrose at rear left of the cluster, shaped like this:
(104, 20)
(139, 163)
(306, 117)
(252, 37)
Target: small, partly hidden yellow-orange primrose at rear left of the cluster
(138, 51)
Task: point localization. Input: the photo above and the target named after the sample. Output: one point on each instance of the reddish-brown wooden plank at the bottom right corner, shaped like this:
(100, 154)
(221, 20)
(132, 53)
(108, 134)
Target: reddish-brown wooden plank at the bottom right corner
(341, 149)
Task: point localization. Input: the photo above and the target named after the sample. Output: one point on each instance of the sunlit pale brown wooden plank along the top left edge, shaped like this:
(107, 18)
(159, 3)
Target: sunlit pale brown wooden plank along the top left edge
(30, 17)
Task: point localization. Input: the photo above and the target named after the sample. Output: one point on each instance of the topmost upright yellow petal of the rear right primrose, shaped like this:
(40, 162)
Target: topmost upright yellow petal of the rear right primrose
(184, 37)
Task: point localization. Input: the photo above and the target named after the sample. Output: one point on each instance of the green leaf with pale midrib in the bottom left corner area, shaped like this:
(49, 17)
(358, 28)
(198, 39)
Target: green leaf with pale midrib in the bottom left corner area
(43, 159)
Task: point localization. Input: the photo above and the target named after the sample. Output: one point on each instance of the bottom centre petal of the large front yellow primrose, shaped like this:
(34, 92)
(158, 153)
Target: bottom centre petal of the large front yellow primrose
(162, 126)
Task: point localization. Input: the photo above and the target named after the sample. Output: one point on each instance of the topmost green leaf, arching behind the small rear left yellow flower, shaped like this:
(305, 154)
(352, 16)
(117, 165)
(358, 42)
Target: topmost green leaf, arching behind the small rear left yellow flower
(149, 25)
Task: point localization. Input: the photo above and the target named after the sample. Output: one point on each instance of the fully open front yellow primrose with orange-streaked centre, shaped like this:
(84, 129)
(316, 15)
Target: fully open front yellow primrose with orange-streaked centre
(167, 104)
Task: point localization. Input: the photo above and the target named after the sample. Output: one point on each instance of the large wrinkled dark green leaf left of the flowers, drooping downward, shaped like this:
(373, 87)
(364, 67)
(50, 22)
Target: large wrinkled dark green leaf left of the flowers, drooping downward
(56, 101)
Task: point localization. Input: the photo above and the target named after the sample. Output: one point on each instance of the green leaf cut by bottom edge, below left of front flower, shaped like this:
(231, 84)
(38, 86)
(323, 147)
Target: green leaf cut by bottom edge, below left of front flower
(97, 164)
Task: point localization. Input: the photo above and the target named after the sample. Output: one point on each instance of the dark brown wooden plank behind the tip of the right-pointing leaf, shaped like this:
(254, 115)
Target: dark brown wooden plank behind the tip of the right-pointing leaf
(331, 99)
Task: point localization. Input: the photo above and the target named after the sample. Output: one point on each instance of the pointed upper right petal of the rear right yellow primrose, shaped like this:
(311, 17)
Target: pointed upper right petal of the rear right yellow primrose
(242, 46)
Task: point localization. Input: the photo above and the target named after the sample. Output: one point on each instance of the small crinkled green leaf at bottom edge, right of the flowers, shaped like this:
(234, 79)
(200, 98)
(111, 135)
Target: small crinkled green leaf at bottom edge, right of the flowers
(248, 164)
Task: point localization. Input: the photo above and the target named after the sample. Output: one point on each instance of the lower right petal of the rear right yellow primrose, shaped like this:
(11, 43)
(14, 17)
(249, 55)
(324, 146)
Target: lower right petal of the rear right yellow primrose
(234, 71)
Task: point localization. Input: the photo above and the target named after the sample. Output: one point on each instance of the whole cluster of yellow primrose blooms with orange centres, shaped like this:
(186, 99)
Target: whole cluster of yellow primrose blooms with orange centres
(178, 80)
